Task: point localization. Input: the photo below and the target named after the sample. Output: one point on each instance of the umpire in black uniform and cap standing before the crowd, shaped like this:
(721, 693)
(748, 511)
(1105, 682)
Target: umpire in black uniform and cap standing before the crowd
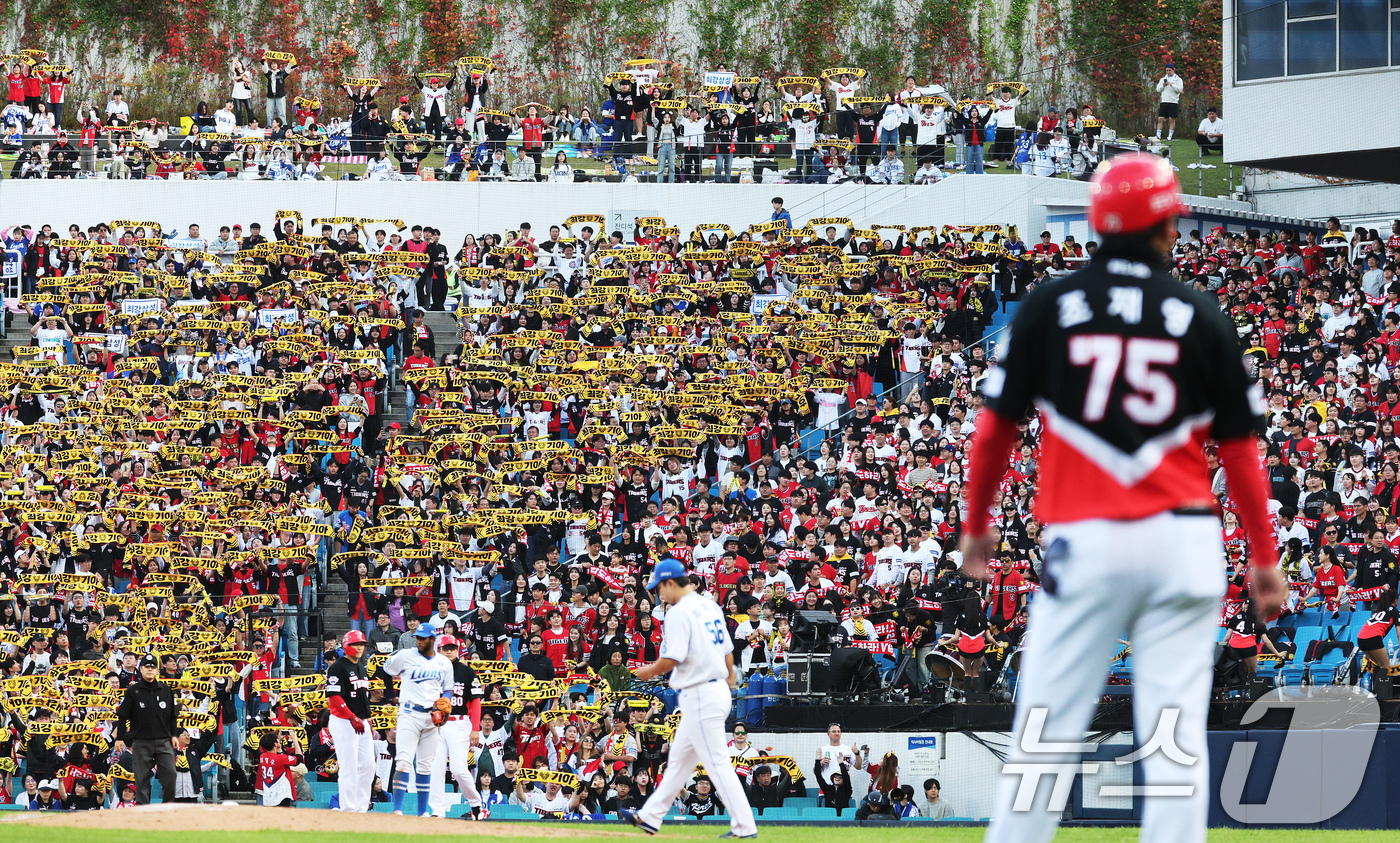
(146, 720)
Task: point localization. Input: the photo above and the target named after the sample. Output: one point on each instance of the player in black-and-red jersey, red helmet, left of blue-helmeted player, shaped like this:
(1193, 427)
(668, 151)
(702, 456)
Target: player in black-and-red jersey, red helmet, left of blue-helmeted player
(348, 697)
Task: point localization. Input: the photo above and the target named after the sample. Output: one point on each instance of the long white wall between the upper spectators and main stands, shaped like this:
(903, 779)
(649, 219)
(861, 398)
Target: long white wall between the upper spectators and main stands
(1027, 202)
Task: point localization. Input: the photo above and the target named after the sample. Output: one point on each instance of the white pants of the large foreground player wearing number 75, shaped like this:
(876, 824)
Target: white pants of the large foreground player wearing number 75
(1157, 583)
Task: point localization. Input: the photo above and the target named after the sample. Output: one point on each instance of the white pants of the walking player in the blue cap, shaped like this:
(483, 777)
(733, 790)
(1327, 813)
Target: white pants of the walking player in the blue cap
(701, 740)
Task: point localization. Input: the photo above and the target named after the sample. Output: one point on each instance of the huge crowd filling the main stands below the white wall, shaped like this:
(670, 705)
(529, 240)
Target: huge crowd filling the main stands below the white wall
(199, 439)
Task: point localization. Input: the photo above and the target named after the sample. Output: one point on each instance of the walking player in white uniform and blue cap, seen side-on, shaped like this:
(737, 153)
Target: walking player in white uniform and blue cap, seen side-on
(699, 656)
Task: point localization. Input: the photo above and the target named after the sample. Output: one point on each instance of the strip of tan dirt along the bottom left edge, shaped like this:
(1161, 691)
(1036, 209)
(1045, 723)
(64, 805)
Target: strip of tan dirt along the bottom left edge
(247, 818)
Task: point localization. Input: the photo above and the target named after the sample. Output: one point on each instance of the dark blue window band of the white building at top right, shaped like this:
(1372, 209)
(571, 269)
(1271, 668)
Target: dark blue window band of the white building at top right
(1305, 37)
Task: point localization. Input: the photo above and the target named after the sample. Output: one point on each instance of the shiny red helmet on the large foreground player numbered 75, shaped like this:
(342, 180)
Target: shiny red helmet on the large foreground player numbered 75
(1133, 193)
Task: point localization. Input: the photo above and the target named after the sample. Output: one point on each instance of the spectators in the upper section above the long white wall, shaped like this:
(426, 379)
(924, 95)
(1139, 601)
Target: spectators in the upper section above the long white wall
(836, 128)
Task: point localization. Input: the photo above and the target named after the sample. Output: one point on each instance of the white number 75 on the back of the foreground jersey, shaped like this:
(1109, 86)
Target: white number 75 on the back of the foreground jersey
(1153, 400)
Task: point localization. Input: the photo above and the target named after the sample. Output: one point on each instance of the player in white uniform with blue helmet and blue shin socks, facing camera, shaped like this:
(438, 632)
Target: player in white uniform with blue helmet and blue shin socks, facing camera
(425, 702)
